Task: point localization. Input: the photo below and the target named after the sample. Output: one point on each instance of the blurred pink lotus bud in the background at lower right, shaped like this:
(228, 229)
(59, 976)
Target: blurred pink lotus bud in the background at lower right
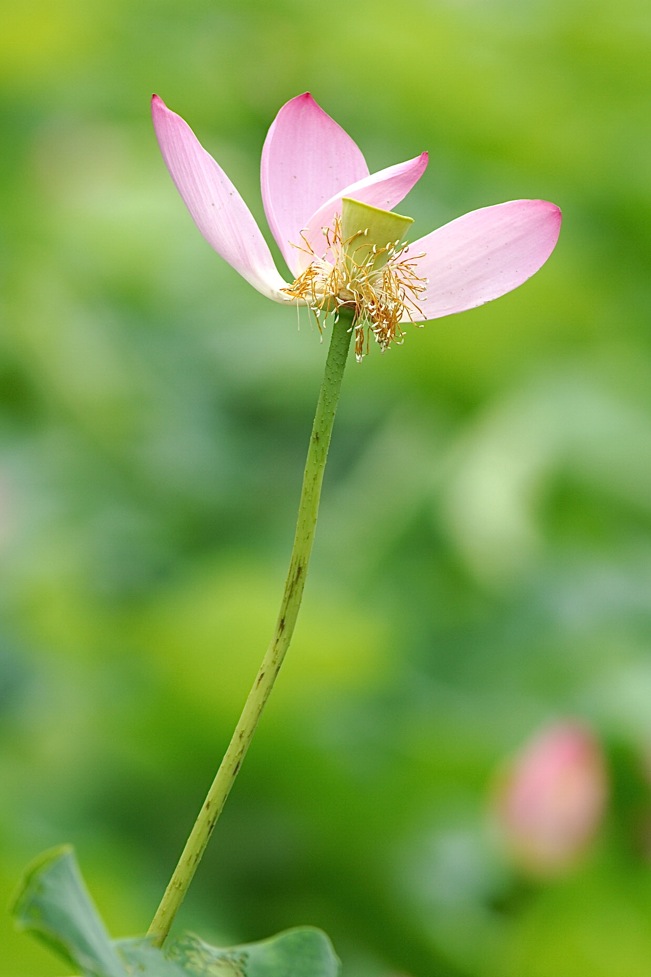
(551, 799)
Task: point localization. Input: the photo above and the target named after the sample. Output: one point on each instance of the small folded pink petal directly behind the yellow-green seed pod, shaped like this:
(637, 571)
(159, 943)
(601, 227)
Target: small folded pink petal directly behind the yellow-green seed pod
(384, 189)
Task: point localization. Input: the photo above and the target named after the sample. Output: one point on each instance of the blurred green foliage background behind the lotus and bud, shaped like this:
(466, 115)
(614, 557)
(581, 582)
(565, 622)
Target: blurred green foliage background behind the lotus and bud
(483, 562)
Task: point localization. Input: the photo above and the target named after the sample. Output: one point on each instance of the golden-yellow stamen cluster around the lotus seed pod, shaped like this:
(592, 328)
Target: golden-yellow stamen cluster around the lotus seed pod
(380, 286)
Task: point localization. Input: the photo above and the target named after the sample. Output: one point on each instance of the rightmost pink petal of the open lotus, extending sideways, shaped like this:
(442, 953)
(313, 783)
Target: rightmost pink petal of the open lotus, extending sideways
(483, 255)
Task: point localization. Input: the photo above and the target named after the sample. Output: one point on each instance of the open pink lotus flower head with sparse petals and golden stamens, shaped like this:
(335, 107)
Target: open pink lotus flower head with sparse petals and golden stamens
(334, 225)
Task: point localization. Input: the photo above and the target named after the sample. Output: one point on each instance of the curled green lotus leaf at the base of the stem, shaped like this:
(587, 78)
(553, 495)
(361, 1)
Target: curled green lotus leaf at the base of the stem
(53, 903)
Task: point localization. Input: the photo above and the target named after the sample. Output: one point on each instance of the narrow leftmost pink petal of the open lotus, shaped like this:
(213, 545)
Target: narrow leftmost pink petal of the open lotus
(214, 204)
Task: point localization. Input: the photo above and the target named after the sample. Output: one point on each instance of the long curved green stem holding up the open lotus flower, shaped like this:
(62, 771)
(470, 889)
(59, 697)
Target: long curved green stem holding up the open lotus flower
(273, 659)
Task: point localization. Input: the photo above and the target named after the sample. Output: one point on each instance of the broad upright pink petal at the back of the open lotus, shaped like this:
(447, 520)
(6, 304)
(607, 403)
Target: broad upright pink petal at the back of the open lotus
(306, 159)
